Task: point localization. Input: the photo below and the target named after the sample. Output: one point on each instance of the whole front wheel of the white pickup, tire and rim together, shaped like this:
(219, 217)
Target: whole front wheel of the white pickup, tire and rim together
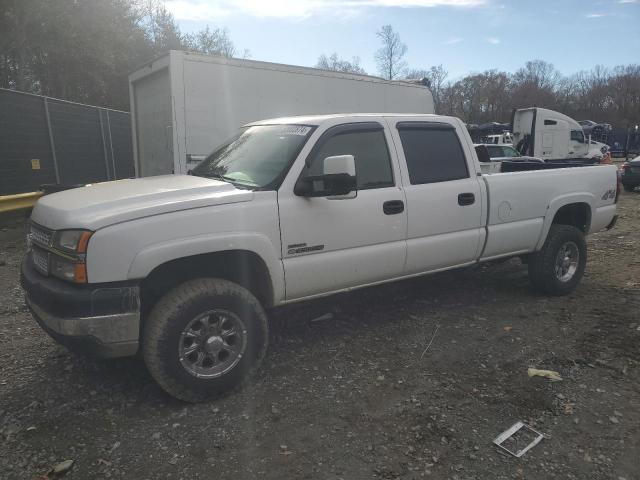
(203, 338)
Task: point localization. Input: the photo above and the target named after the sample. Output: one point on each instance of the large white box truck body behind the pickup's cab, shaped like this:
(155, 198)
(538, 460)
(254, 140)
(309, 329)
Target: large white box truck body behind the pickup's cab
(183, 104)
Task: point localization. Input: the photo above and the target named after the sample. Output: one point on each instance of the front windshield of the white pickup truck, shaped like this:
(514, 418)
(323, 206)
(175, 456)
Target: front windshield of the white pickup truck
(257, 157)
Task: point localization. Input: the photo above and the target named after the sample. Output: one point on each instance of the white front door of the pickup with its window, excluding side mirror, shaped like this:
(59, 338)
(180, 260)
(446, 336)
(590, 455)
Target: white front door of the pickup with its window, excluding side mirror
(329, 244)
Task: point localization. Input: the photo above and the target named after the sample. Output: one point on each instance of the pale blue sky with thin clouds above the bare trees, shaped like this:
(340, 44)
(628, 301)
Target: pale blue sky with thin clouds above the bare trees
(465, 36)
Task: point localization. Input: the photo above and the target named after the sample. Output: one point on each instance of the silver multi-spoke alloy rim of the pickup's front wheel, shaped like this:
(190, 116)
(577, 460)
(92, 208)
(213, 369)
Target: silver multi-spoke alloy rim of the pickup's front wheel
(212, 343)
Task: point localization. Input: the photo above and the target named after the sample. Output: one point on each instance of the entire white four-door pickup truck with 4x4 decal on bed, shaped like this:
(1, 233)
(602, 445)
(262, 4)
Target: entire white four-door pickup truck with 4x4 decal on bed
(184, 267)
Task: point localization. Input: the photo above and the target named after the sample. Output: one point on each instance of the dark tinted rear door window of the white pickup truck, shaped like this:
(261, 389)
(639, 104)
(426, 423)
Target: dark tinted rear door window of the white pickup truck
(433, 152)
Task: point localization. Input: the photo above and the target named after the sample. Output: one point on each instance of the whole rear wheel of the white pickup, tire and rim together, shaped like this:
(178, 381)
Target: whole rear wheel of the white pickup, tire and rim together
(558, 267)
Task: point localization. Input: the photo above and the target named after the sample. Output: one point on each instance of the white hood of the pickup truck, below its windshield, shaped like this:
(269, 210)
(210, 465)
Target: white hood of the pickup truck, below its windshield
(102, 204)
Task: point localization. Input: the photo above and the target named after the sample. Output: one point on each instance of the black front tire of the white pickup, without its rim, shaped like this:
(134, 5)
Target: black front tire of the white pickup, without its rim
(172, 313)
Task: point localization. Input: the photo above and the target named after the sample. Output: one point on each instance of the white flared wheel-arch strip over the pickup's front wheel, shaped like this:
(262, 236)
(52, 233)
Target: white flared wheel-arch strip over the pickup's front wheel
(156, 254)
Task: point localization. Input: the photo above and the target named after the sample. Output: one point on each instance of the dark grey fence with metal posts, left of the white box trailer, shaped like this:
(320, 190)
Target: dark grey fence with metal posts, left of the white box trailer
(45, 140)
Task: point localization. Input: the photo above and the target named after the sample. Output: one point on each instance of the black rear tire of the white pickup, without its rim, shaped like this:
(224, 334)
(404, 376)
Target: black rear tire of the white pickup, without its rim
(542, 272)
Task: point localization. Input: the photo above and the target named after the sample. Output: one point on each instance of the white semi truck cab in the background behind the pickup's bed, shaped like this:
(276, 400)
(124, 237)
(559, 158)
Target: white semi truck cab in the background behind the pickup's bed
(548, 135)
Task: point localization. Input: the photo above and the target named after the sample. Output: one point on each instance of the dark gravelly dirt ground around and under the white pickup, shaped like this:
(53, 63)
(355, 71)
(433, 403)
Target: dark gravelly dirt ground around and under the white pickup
(358, 395)
